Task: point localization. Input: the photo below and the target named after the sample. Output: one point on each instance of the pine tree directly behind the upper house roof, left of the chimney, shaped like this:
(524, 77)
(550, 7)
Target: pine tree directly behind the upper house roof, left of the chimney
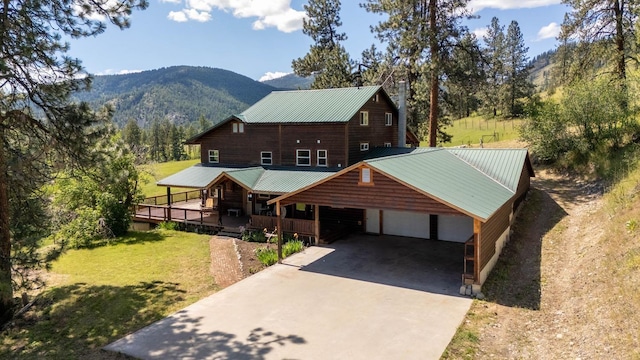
(327, 59)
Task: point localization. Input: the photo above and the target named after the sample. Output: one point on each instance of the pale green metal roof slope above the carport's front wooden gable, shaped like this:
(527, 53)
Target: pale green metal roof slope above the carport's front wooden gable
(446, 177)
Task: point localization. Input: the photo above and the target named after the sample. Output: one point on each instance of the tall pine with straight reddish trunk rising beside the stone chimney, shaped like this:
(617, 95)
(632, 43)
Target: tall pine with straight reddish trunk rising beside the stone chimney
(419, 34)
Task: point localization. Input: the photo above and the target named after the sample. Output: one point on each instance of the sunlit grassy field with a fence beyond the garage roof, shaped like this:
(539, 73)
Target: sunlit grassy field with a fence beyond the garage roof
(468, 131)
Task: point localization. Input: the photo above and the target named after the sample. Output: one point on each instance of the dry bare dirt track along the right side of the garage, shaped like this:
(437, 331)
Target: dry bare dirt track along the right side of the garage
(552, 294)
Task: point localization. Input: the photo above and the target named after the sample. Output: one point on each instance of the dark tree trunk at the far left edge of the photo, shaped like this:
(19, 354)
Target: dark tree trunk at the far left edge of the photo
(6, 291)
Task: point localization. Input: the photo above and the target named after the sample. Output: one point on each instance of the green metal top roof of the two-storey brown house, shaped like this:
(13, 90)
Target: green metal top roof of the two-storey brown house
(309, 106)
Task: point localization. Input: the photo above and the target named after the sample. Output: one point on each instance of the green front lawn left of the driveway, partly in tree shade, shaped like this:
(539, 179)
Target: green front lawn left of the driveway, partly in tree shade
(98, 295)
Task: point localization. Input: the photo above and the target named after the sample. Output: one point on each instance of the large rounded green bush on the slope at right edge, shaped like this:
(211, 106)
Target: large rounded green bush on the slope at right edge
(590, 121)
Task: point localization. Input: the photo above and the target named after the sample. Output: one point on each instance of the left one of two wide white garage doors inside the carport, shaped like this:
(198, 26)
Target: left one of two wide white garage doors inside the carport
(404, 223)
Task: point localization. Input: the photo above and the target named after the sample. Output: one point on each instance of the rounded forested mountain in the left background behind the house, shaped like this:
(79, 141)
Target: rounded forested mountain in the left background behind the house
(180, 94)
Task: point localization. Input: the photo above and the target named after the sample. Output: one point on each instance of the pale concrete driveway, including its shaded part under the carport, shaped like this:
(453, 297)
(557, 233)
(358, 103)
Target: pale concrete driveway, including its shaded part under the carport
(365, 297)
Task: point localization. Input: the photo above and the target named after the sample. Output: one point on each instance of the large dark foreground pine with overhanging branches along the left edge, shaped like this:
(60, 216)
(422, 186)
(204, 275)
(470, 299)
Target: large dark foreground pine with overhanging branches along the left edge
(35, 115)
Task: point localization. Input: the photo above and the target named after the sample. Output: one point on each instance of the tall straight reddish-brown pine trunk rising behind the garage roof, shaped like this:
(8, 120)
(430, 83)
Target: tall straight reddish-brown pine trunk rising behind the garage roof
(433, 98)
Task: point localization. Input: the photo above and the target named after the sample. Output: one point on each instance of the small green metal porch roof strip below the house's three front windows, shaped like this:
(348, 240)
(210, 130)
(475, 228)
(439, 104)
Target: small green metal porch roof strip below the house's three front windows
(285, 181)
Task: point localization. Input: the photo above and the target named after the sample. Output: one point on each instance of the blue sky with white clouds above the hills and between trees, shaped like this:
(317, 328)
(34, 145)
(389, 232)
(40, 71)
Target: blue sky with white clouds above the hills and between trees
(260, 38)
